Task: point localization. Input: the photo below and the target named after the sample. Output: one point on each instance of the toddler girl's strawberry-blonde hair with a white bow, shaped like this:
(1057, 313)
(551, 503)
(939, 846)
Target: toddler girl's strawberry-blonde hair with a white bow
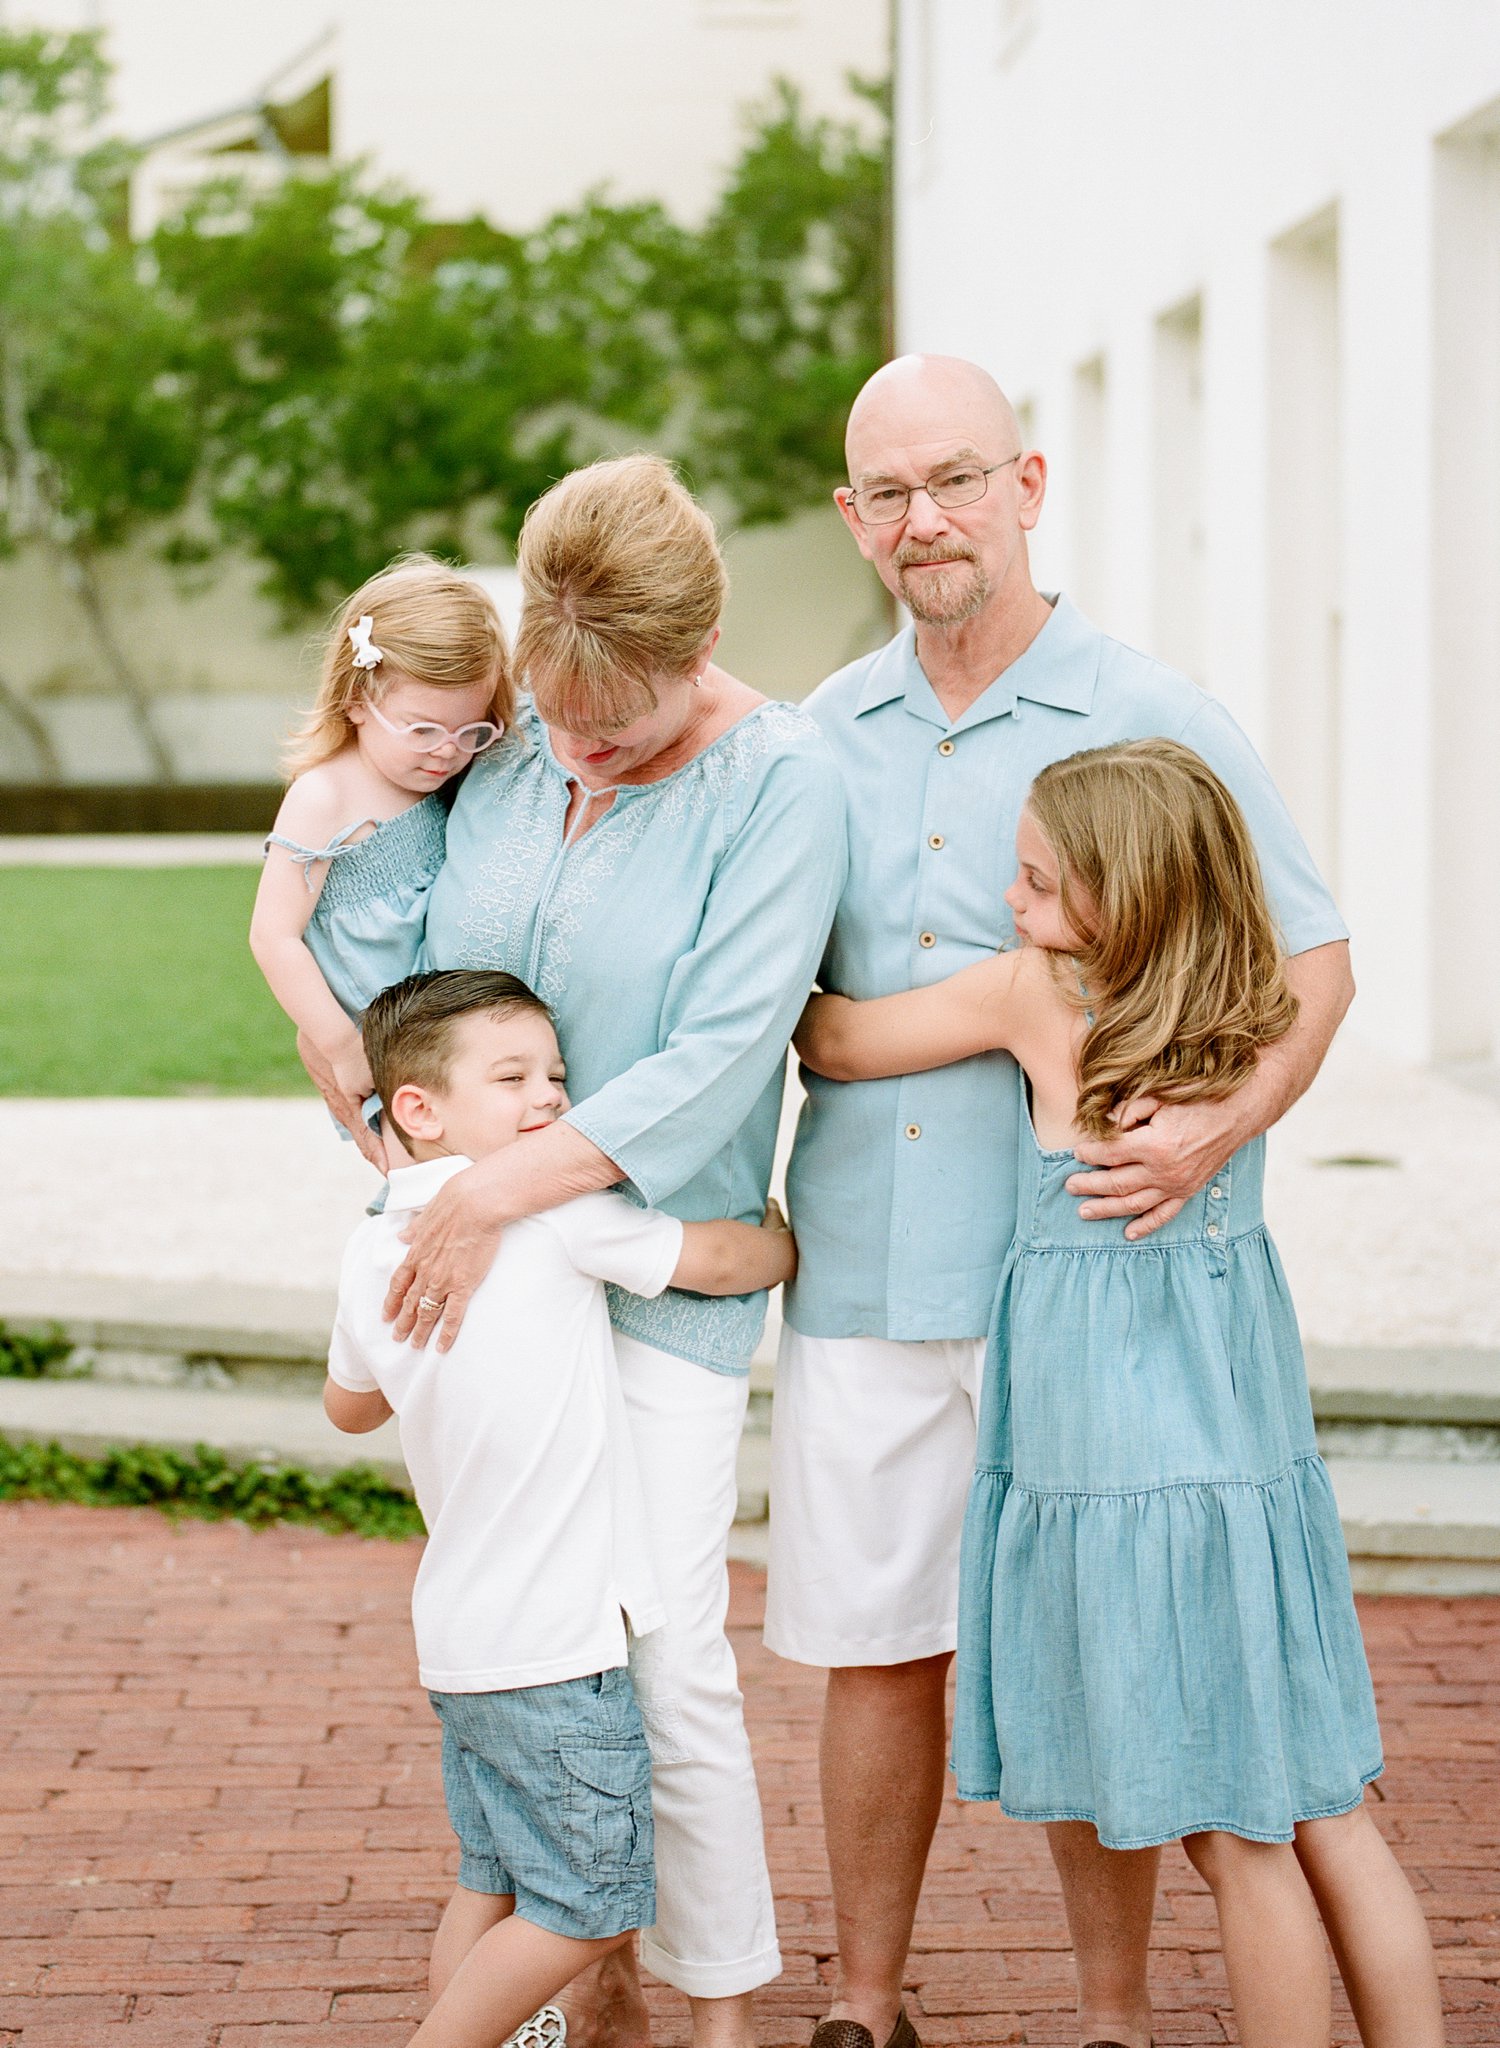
(433, 626)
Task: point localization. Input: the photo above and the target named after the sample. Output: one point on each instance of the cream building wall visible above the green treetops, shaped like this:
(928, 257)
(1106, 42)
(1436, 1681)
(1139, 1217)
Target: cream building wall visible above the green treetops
(495, 105)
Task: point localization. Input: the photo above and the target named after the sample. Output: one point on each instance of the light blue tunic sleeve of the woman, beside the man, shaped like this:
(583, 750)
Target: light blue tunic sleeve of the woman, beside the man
(739, 990)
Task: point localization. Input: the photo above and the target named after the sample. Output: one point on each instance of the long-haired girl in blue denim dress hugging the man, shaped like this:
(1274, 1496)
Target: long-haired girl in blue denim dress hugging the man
(1157, 1627)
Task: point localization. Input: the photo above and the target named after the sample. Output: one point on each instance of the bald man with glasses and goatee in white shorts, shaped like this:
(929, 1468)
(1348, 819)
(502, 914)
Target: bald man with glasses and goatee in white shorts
(905, 1191)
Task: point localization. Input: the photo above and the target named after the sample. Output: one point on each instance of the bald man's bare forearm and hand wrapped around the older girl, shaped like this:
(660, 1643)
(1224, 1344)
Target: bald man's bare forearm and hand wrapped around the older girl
(1159, 1166)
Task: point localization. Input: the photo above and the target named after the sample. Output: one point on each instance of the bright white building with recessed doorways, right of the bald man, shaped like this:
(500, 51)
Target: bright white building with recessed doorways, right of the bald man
(1241, 269)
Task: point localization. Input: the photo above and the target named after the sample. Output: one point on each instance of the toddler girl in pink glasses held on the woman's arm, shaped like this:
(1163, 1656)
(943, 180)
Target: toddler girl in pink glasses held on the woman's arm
(415, 683)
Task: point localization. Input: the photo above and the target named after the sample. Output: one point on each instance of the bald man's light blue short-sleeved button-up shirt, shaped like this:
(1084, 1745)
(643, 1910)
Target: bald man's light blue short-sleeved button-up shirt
(905, 1191)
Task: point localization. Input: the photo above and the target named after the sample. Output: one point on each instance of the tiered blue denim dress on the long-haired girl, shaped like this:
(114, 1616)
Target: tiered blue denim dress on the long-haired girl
(1157, 1629)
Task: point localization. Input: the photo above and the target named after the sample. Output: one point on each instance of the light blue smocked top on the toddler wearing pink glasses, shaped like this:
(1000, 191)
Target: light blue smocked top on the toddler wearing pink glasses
(366, 931)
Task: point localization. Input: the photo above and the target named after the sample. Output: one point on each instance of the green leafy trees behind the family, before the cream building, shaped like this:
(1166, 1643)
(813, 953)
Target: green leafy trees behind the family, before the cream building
(323, 376)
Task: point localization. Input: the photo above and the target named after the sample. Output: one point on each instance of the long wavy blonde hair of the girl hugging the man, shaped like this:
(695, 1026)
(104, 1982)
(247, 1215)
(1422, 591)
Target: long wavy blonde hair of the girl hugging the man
(1179, 962)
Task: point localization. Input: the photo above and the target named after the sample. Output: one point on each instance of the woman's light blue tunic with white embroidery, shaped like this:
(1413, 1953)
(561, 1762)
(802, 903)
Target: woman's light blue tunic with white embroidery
(677, 943)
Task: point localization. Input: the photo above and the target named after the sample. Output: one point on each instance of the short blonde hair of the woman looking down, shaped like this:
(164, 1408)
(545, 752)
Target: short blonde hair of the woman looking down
(622, 583)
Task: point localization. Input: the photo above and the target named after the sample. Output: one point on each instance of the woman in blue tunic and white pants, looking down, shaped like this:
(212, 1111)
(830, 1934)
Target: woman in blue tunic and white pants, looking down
(657, 851)
